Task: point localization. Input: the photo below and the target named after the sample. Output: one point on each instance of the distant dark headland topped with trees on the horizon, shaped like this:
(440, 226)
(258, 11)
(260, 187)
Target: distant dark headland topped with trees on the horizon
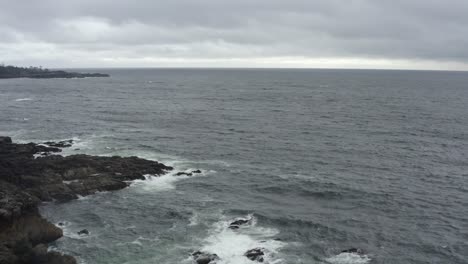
(9, 71)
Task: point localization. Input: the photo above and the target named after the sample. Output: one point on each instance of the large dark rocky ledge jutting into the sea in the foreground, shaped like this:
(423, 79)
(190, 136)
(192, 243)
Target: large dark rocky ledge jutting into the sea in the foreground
(26, 181)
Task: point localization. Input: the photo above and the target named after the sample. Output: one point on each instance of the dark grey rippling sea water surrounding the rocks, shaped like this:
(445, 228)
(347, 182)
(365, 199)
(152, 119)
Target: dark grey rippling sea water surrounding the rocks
(324, 160)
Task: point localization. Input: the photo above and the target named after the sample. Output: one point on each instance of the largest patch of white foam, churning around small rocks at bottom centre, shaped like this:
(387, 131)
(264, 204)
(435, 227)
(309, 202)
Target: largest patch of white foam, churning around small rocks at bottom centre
(231, 245)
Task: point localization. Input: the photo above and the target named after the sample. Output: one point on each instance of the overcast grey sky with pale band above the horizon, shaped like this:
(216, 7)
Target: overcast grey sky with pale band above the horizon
(414, 34)
